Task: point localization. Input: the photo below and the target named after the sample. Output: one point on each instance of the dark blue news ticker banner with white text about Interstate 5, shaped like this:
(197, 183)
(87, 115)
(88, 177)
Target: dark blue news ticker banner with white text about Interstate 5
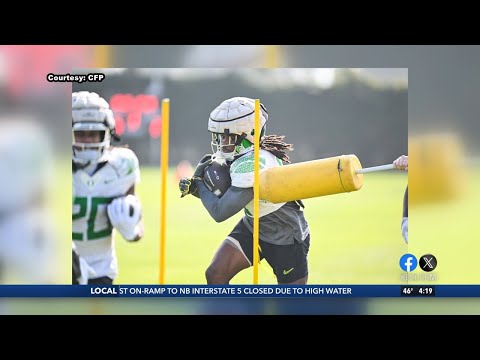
(238, 291)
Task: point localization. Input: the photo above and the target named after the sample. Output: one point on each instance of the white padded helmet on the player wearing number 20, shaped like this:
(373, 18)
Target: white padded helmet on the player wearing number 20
(90, 112)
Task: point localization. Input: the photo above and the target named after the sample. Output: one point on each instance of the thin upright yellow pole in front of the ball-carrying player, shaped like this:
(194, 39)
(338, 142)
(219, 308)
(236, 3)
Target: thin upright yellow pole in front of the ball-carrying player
(256, 192)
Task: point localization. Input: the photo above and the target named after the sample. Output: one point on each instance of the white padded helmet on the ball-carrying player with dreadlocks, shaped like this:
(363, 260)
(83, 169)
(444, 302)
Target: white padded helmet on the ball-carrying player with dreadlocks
(232, 125)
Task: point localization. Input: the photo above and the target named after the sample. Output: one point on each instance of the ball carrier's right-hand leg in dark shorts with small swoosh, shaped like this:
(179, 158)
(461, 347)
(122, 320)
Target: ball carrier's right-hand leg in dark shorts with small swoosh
(289, 262)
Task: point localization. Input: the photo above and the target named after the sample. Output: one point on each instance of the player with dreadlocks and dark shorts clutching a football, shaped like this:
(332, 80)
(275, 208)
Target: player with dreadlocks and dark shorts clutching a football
(284, 233)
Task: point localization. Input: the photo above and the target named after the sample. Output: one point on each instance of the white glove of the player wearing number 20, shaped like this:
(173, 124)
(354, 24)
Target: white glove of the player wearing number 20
(125, 213)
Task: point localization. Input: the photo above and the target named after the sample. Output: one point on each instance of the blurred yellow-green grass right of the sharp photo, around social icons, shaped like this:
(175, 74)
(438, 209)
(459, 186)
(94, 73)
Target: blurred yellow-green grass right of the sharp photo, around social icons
(448, 230)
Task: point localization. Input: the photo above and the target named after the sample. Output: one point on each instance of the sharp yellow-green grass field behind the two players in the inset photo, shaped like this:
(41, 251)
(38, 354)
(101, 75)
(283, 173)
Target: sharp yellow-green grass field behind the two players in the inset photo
(355, 237)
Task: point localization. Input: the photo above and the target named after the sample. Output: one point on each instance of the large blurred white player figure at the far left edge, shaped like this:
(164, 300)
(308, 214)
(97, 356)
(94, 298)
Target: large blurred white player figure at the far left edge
(28, 253)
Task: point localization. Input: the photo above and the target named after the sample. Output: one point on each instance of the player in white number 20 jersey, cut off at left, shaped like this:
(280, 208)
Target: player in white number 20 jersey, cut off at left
(104, 180)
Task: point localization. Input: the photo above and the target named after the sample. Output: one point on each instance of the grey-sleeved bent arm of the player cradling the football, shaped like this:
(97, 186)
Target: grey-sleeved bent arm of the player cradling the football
(220, 209)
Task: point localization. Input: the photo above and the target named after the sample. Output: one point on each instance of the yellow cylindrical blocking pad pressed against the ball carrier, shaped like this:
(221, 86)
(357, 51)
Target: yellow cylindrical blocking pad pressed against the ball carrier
(310, 179)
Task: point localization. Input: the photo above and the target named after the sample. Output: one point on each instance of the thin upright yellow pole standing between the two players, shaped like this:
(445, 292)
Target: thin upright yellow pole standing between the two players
(163, 192)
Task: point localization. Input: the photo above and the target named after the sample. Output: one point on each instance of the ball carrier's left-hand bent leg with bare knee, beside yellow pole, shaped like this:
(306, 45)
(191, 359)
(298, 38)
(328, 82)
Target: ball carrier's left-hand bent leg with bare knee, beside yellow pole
(230, 258)
